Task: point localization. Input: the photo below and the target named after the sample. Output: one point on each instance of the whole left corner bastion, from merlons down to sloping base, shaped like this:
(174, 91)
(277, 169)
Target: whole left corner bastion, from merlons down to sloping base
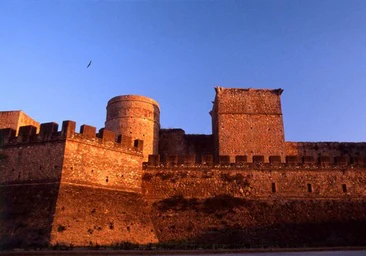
(73, 189)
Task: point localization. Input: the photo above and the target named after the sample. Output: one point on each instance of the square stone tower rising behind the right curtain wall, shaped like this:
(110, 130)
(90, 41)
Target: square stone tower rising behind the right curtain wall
(248, 122)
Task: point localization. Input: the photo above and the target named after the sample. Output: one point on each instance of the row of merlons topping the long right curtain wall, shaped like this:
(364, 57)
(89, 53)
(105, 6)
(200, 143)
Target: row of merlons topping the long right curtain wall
(256, 162)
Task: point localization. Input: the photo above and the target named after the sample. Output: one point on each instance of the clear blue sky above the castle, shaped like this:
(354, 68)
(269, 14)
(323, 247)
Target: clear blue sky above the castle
(176, 51)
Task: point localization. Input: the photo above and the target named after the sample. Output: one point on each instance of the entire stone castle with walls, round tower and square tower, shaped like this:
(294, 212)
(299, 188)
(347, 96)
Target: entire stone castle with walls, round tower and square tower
(135, 182)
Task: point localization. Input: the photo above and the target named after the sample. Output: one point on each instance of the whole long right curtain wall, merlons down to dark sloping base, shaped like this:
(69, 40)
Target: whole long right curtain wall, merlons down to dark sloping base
(304, 201)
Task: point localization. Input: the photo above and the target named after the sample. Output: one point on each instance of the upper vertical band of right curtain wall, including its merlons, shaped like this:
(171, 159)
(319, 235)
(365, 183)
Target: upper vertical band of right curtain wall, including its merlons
(297, 178)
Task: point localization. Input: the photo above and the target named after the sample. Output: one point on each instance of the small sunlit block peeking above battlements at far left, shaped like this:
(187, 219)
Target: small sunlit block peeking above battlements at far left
(16, 119)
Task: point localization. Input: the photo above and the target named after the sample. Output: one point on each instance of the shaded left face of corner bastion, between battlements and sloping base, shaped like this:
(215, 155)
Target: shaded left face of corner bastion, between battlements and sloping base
(28, 162)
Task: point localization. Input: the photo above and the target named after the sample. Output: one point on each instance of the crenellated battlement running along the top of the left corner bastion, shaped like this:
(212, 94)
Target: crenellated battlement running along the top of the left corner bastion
(49, 133)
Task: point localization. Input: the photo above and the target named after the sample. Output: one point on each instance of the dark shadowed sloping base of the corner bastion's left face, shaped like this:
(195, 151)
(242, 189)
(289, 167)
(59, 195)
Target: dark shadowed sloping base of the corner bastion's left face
(26, 215)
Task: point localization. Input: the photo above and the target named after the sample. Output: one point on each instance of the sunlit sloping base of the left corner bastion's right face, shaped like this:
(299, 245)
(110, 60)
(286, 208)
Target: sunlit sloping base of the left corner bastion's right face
(96, 216)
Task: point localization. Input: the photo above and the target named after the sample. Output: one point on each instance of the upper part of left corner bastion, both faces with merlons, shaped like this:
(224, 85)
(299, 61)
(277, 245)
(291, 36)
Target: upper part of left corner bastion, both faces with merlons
(67, 156)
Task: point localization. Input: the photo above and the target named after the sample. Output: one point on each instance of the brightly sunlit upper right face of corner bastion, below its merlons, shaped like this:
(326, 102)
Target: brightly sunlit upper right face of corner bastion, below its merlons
(86, 161)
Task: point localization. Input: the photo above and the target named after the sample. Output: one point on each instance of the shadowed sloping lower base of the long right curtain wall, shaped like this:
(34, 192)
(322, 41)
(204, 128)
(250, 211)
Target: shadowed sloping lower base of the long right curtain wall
(237, 222)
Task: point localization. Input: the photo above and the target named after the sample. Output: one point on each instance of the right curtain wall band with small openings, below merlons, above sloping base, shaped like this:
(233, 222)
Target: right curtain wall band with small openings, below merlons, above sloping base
(253, 182)
